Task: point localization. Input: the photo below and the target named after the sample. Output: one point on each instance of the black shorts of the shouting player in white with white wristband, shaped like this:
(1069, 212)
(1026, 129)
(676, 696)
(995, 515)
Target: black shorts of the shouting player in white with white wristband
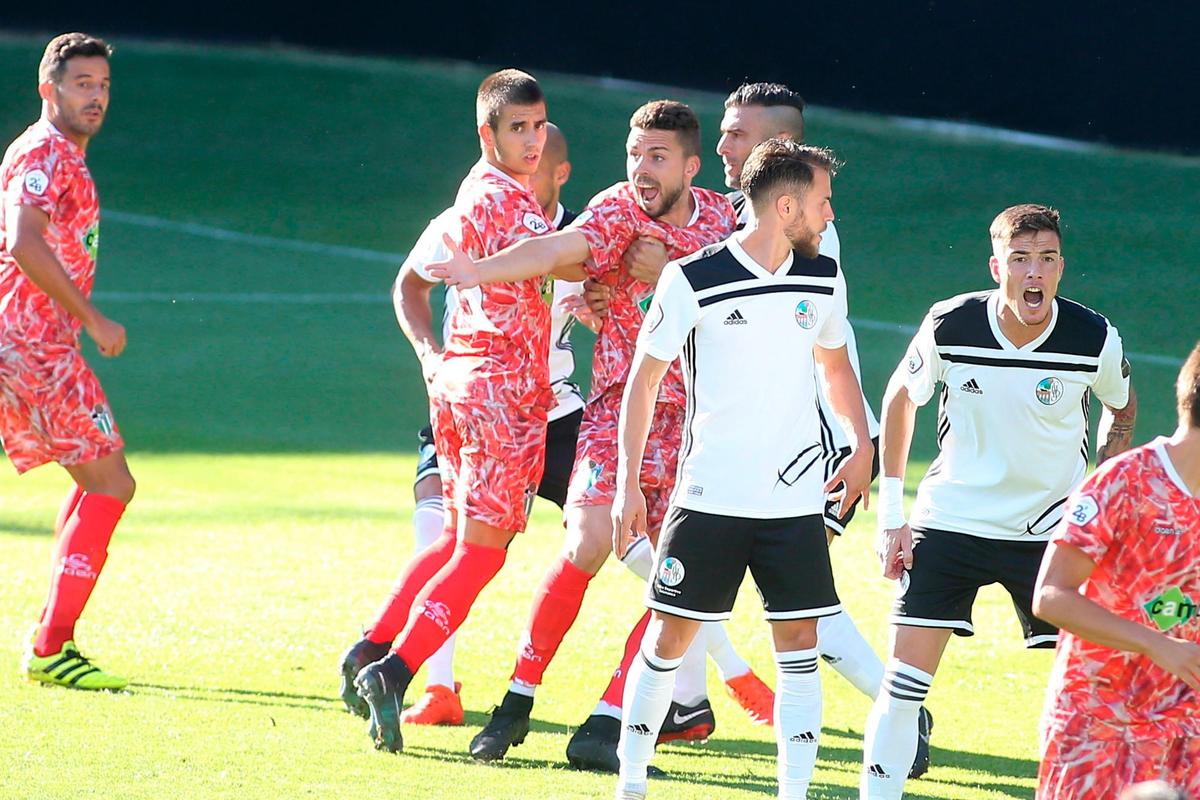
(947, 572)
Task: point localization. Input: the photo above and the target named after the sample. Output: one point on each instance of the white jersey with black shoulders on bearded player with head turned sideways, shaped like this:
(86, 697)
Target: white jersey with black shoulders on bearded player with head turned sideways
(752, 441)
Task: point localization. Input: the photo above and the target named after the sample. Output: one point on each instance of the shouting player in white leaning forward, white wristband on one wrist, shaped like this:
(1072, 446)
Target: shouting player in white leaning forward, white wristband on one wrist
(1018, 366)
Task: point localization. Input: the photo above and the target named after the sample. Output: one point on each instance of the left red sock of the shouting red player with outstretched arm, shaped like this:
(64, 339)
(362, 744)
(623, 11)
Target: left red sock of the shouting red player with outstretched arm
(555, 609)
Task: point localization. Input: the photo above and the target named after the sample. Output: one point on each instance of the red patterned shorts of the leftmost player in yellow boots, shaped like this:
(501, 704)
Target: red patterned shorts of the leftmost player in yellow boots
(52, 408)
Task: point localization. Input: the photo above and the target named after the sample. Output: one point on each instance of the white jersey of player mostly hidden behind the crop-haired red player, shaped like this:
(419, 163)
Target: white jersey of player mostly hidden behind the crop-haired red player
(430, 248)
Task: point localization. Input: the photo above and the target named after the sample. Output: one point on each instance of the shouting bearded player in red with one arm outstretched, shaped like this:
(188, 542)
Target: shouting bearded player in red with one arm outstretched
(659, 202)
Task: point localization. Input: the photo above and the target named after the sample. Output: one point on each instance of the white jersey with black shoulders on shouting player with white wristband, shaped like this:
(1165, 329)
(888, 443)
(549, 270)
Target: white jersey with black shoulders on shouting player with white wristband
(1012, 423)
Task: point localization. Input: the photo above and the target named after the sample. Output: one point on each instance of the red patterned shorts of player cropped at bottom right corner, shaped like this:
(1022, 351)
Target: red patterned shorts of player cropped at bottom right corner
(1078, 768)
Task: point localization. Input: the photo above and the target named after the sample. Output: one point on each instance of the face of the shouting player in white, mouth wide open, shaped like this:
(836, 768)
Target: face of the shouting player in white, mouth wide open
(1028, 269)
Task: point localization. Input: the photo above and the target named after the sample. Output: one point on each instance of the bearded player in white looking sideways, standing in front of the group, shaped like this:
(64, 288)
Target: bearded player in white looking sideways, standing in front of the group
(751, 492)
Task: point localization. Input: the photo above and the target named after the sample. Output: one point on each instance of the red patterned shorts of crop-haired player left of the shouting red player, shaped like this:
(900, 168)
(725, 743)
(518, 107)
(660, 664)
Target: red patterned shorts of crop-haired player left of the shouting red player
(491, 458)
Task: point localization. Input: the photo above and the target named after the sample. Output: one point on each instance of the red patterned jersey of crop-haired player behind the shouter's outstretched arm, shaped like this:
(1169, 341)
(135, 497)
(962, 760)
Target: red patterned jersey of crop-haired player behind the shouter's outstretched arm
(499, 334)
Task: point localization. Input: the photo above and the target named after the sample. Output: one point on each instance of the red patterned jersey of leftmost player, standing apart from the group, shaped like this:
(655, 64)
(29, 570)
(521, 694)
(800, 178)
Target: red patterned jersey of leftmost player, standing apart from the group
(45, 170)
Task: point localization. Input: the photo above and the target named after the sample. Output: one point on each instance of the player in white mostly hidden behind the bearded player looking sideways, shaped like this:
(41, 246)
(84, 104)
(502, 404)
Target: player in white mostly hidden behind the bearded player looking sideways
(755, 113)
